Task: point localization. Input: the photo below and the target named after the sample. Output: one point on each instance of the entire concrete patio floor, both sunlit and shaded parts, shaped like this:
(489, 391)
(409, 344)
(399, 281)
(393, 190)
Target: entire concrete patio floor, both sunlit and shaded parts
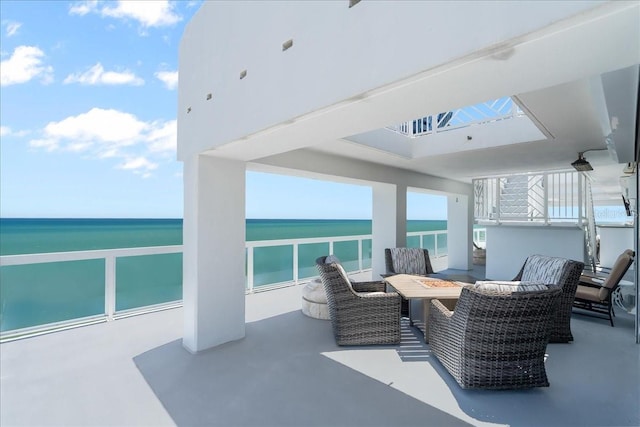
(288, 371)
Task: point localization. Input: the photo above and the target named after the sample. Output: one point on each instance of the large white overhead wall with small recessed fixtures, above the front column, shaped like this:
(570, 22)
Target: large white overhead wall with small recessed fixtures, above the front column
(340, 56)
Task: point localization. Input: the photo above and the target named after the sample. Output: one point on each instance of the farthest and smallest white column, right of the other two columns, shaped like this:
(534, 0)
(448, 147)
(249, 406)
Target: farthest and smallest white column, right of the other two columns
(460, 232)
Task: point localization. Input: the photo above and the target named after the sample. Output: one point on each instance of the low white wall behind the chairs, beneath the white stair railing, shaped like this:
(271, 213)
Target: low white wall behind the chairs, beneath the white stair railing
(509, 246)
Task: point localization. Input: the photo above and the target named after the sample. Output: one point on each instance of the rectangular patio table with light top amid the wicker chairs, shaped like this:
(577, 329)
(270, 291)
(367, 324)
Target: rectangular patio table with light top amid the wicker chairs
(424, 289)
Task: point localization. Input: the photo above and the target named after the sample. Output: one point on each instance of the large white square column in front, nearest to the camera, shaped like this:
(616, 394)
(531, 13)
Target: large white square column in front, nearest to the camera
(214, 252)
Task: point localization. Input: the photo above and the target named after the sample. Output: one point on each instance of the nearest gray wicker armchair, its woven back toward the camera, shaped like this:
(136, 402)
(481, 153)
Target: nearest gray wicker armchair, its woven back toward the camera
(494, 340)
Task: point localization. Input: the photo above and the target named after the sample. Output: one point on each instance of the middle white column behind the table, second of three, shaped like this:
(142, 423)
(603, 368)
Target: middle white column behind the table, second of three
(389, 223)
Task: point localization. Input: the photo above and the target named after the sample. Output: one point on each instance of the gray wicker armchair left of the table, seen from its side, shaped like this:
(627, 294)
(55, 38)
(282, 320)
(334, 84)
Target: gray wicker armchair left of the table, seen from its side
(361, 312)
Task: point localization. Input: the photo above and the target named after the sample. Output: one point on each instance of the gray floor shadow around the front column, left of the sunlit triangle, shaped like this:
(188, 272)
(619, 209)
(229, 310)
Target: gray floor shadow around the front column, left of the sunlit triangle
(277, 376)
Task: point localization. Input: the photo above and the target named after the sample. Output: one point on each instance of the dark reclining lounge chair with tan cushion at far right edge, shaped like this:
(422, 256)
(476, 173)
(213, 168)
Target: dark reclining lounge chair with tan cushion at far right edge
(596, 297)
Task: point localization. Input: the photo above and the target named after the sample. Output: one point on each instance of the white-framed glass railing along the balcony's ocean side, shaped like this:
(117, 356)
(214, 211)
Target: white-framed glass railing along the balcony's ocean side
(47, 291)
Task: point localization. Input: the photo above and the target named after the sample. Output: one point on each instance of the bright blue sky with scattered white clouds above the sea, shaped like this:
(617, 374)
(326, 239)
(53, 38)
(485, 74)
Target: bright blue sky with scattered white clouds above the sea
(88, 119)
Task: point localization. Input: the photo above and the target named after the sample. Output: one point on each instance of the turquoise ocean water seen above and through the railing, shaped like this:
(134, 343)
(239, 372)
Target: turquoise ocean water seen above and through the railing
(38, 294)
